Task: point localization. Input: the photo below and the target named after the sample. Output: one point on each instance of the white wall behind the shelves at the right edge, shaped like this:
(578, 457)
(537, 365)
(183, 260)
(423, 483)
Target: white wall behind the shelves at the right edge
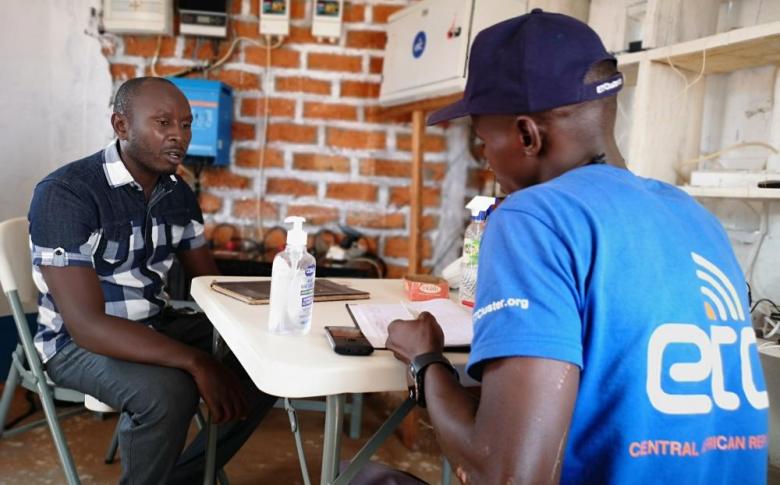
(741, 107)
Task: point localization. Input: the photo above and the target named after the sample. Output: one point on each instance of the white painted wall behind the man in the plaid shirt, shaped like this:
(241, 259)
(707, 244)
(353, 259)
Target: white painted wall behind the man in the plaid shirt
(55, 89)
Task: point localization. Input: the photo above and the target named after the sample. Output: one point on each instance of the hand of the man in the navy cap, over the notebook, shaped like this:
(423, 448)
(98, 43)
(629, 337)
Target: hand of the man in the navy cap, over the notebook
(410, 338)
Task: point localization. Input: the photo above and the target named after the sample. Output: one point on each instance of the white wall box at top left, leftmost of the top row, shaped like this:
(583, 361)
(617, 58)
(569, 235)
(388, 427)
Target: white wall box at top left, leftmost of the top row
(138, 16)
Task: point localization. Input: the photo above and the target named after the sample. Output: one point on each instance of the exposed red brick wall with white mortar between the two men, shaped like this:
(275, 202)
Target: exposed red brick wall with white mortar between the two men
(331, 157)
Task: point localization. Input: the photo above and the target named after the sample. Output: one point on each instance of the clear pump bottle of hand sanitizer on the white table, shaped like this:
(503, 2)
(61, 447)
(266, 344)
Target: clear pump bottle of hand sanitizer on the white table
(292, 284)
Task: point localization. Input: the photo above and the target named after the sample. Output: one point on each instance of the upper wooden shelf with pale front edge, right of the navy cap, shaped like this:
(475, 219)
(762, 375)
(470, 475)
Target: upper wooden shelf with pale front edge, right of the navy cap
(738, 49)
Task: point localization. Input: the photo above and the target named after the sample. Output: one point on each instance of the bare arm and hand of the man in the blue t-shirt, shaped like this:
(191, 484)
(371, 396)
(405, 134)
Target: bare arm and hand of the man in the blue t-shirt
(516, 431)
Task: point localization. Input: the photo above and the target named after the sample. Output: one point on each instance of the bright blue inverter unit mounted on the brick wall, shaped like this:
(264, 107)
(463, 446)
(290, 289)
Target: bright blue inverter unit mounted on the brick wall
(212, 115)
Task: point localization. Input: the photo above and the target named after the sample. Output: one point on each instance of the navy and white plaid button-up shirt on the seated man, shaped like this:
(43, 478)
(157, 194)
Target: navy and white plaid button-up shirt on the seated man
(92, 213)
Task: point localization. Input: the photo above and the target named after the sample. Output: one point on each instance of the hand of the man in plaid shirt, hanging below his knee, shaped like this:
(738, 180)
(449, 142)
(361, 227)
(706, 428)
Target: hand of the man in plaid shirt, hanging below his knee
(220, 388)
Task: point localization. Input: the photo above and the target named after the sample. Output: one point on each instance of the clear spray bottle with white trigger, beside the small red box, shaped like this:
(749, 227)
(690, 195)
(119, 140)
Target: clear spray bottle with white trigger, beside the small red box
(480, 207)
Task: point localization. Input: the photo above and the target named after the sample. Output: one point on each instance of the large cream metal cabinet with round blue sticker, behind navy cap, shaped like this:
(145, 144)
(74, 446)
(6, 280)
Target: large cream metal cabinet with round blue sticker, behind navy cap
(428, 44)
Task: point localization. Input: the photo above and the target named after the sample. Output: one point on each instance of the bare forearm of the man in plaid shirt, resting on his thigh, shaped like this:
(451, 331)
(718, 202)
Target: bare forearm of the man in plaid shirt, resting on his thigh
(132, 341)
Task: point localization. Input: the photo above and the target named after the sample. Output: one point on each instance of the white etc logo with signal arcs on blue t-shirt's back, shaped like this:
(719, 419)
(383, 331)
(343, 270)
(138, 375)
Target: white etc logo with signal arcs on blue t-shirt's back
(721, 304)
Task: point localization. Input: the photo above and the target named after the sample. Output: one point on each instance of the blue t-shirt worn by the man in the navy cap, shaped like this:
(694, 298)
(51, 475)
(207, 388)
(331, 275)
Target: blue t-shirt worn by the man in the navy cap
(634, 282)
